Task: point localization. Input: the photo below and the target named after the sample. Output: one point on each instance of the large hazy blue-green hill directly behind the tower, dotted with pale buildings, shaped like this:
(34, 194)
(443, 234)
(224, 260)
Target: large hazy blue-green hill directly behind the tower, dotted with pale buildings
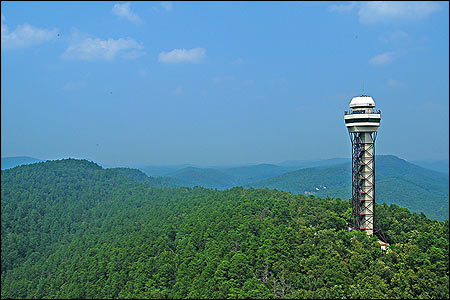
(397, 182)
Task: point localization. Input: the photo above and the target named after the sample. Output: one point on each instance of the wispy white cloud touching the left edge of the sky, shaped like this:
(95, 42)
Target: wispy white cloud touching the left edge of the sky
(25, 35)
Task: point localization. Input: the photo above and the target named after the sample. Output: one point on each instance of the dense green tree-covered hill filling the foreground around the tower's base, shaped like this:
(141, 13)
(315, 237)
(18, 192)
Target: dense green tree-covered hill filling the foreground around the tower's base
(71, 229)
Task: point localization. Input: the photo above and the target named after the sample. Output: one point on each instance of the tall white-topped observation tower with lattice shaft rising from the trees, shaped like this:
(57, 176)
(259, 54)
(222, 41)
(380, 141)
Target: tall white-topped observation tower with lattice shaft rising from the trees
(362, 122)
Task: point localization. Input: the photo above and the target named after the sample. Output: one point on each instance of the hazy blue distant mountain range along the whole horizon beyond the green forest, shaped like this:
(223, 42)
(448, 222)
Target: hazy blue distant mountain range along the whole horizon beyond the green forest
(397, 181)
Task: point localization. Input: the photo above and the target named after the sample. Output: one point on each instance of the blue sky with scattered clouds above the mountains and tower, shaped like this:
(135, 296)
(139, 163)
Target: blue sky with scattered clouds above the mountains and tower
(213, 83)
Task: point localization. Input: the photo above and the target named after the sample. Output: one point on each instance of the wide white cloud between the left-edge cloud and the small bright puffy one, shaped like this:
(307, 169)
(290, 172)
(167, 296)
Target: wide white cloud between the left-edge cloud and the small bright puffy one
(97, 49)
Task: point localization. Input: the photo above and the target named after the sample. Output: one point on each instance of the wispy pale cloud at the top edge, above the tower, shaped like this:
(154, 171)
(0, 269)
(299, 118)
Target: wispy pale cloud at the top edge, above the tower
(372, 12)
